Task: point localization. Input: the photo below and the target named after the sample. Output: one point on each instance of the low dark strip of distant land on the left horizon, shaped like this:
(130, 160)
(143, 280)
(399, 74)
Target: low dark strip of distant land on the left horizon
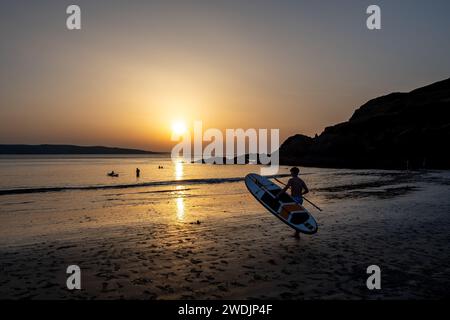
(66, 149)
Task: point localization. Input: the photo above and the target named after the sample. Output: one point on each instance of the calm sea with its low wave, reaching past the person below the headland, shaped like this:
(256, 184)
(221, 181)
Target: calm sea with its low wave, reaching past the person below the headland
(39, 172)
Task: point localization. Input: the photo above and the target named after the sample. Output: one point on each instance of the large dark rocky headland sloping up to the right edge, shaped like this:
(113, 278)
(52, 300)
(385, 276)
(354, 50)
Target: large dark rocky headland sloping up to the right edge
(391, 131)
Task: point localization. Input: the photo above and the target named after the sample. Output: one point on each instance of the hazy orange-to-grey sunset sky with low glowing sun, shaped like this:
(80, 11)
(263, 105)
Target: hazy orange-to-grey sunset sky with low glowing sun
(135, 67)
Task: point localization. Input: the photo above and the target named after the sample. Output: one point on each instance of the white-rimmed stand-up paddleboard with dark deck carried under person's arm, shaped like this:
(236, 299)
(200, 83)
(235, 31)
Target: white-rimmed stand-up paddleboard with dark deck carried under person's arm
(284, 208)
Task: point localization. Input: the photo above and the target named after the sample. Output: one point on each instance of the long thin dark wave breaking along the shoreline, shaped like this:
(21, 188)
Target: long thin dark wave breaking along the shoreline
(126, 186)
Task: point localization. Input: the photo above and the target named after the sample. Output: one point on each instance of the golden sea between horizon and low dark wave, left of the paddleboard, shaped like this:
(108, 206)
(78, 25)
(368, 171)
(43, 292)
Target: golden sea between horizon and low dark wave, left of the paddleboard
(20, 172)
